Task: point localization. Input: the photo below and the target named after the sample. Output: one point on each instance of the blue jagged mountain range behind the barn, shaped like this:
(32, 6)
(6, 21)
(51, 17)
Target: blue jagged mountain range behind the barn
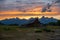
(43, 20)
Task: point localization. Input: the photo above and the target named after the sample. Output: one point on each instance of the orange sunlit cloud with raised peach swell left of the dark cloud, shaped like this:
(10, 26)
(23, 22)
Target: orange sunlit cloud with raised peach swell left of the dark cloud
(30, 12)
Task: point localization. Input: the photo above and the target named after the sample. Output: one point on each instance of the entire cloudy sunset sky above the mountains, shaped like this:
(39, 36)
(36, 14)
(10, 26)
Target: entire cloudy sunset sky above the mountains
(29, 8)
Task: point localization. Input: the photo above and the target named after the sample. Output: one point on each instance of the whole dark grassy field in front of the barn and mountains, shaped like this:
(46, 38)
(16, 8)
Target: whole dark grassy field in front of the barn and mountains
(17, 33)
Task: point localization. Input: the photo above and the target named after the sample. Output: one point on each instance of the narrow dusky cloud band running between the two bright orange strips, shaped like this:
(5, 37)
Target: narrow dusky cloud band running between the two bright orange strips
(27, 14)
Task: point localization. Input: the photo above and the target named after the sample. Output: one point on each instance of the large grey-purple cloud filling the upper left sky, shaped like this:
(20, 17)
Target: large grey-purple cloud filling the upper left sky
(20, 5)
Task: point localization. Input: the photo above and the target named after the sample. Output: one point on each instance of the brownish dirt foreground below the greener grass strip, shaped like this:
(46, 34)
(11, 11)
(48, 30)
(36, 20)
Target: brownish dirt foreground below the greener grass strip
(29, 35)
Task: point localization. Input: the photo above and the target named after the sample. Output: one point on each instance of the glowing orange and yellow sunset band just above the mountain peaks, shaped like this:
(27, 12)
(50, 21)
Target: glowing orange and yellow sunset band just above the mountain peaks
(27, 15)
